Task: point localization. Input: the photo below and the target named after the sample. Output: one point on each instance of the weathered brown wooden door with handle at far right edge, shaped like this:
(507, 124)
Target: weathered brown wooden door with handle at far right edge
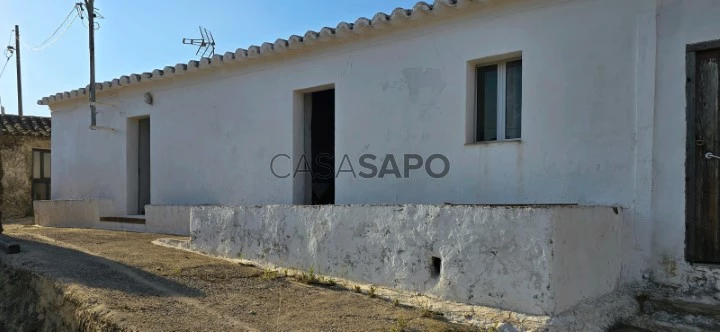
(703, 163)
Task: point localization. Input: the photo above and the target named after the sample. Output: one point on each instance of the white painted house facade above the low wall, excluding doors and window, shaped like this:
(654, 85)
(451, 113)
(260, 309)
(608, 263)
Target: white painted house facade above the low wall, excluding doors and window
(603, 120)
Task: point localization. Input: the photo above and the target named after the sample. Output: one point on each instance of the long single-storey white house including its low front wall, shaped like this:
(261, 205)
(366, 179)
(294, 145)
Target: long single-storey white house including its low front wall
(569, 138)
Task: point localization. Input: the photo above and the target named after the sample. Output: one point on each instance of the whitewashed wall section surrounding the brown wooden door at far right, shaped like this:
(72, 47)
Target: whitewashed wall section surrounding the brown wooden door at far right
(679, 23)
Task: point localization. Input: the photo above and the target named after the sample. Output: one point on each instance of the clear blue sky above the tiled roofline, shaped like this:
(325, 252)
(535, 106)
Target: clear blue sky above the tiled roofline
(136, 36)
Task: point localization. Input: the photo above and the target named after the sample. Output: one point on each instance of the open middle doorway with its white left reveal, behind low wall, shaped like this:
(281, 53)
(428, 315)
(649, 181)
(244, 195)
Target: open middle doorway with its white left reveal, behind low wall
(317, 150)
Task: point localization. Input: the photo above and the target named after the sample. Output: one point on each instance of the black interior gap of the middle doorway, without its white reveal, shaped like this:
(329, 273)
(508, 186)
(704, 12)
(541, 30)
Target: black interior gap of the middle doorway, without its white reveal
(322, 146)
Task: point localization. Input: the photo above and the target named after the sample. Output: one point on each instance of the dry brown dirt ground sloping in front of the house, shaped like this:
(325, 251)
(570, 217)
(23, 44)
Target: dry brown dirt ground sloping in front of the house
(144, 287)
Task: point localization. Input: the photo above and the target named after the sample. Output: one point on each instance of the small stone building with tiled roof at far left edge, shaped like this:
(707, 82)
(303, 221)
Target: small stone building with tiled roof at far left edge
(24, 163)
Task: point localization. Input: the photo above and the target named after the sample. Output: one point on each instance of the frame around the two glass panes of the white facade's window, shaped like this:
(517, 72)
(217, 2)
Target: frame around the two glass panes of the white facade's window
(500, 111)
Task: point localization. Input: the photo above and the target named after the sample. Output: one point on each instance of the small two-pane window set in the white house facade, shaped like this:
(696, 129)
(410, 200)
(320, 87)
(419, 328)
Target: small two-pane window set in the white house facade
(498, 101)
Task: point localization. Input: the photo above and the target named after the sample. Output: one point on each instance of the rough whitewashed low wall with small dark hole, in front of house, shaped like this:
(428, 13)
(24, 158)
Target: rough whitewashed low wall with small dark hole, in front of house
(537, 260)
